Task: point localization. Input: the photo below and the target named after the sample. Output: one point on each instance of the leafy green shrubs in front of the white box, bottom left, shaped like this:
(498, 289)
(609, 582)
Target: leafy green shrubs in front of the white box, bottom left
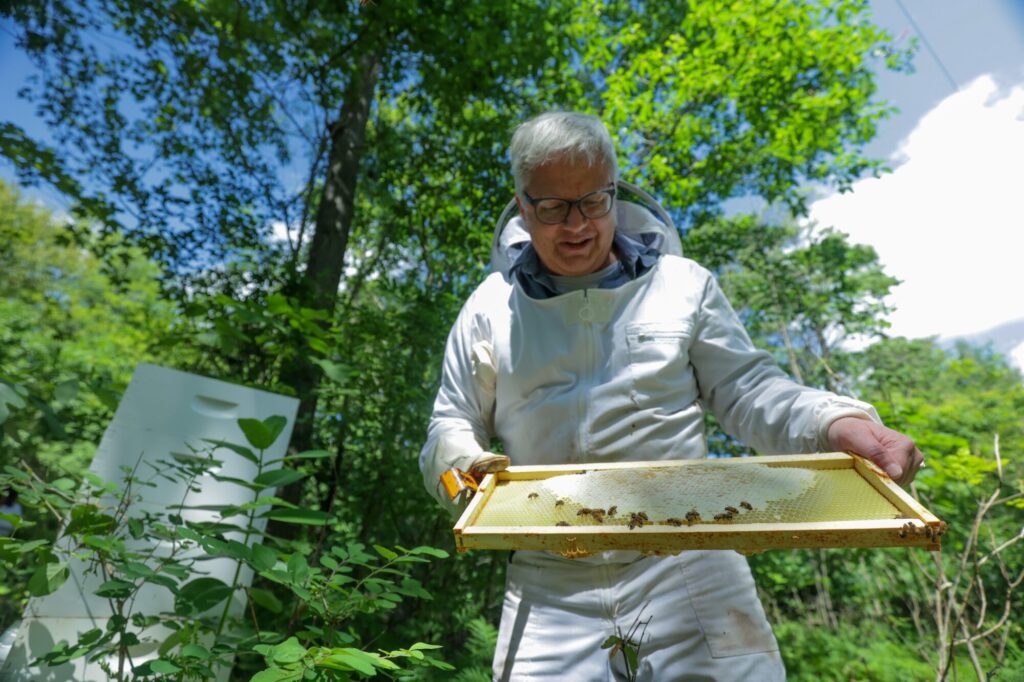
(325, 587)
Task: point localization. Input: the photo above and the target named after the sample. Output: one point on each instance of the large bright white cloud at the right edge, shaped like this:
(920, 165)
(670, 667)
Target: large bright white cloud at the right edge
(950, 220)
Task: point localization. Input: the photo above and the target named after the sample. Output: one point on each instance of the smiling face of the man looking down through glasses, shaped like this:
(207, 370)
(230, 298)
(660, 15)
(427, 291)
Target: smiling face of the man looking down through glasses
(578, 245)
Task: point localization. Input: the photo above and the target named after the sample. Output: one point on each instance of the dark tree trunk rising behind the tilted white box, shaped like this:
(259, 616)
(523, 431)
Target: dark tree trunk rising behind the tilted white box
(319, 288)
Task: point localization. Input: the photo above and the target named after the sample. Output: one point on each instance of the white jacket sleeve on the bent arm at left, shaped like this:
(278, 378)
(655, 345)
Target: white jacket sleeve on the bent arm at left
(462, 422)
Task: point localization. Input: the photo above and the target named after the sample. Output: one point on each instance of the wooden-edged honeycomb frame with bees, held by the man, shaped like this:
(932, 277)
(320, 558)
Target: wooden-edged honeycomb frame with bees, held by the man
(744, 504)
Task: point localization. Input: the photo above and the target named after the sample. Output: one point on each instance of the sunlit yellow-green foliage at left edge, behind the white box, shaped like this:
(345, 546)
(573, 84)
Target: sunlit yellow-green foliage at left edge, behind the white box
(72, 329)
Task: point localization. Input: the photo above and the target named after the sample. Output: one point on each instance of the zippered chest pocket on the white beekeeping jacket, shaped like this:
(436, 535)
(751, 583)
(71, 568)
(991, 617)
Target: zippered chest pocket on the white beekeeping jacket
(660, 364)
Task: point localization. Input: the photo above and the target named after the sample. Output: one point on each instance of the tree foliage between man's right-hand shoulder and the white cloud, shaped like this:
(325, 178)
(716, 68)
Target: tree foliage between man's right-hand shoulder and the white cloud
(801, 291)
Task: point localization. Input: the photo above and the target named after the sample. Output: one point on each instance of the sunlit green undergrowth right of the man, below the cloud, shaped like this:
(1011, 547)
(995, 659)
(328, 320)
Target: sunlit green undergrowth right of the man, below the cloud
(922, 609)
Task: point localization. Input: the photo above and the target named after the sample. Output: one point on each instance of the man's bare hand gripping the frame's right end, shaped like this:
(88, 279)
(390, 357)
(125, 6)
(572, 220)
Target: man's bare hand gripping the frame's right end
(891, 451)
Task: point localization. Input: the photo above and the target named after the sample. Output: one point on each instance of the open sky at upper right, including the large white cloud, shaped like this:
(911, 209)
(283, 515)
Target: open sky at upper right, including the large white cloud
(949, 221)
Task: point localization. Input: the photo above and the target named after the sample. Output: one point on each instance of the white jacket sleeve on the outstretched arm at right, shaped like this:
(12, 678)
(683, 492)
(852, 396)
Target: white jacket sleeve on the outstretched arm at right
(750, 396)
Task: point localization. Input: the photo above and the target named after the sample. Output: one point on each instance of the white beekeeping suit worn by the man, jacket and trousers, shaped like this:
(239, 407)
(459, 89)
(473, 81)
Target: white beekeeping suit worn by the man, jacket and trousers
(616, 375)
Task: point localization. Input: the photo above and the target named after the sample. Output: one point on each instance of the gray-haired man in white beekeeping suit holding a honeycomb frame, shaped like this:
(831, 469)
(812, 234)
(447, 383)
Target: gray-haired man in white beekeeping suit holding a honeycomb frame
(596, 347)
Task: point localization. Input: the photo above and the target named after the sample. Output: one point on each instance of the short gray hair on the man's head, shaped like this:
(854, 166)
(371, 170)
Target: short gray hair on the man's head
(576, 138)
